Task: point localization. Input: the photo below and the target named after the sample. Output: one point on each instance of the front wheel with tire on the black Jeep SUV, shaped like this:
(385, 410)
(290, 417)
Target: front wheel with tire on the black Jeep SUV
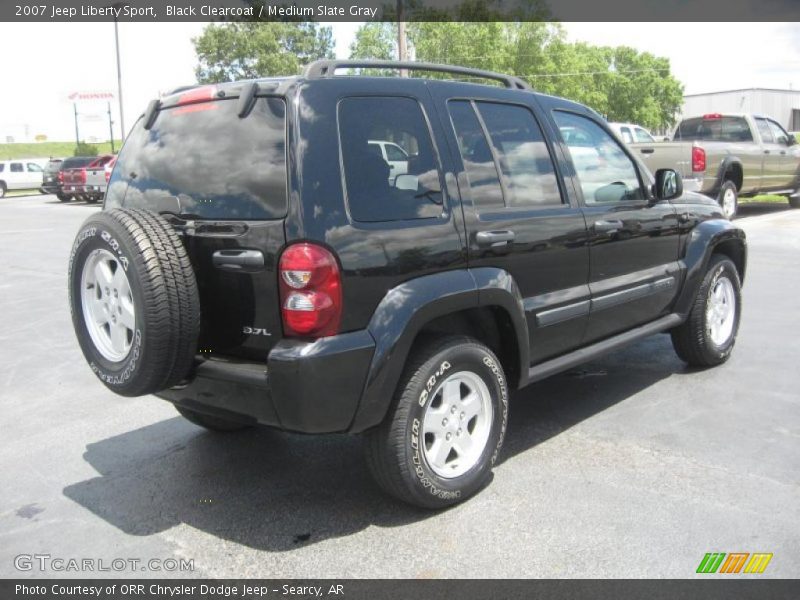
(707, 337)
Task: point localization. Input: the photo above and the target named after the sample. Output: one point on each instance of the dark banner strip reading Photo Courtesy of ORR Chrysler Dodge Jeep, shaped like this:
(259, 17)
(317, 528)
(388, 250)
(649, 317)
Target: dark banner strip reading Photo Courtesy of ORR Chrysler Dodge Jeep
(348, 589)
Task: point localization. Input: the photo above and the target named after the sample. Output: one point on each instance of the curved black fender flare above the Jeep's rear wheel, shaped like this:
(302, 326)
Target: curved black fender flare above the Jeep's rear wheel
(407, 308)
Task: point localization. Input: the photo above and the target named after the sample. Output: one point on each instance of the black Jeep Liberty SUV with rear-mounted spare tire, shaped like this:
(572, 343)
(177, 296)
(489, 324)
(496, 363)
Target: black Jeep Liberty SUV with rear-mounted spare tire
(388, 255)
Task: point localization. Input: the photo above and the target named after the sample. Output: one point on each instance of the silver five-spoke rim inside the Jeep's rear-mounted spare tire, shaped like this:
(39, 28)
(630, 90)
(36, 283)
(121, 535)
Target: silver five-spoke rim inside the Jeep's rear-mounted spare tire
(107, 304)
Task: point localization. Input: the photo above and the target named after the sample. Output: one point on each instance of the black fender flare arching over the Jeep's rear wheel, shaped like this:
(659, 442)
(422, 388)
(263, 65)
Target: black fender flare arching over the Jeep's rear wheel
(484, 303)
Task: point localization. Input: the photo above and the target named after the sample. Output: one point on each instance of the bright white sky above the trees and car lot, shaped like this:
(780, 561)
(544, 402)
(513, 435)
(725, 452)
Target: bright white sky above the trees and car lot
(53, 60)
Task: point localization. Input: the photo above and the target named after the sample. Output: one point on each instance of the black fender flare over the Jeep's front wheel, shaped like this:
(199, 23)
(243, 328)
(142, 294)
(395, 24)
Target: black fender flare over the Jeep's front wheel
(702, 242)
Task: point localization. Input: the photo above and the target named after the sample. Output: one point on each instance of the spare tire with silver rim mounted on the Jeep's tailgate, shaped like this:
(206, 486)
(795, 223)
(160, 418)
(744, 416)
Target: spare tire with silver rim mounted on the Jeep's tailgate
(134, 301)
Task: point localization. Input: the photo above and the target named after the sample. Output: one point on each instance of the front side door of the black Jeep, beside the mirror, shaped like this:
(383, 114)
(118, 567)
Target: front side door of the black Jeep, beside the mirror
(634, 272)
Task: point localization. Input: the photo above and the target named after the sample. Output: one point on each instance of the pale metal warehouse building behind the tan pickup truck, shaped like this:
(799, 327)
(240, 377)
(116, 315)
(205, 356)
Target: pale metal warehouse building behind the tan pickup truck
(781, 105)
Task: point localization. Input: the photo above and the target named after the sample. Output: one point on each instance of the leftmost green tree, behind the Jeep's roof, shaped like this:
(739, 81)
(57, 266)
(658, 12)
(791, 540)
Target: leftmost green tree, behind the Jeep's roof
(231, 51)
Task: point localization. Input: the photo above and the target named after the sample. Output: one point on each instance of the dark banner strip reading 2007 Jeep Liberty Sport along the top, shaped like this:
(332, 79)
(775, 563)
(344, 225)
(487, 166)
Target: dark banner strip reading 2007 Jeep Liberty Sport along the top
(149, 11)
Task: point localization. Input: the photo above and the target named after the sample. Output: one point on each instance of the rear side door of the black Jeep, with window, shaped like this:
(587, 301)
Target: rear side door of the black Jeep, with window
(517, 213)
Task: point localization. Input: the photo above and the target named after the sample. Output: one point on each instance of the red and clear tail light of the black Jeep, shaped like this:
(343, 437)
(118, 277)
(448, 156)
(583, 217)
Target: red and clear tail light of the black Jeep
(310, 290)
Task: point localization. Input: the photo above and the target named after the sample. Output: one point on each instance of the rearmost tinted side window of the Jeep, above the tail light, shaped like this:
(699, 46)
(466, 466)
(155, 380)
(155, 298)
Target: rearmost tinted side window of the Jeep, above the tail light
(377, 191)
